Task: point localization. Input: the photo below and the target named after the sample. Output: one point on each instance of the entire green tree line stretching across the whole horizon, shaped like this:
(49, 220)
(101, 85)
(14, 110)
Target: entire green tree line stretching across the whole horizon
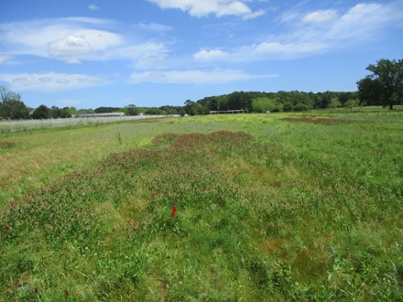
(384, 87)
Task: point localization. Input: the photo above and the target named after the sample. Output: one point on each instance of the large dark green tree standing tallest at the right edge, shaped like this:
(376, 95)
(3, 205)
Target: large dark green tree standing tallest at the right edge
(384, 86)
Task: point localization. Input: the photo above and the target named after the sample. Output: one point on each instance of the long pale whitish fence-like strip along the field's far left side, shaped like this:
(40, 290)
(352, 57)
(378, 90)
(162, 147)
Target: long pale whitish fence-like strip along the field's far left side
(24, 125)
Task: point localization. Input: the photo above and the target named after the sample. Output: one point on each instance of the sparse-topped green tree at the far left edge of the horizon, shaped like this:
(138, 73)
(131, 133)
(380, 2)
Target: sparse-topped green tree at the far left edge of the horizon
(11, 105)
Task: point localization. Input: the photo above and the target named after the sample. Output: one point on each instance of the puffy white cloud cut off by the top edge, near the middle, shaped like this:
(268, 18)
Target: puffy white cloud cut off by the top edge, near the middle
(203, 8)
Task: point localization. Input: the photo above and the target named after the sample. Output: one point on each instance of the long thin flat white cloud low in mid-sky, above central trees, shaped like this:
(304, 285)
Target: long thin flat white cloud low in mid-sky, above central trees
(194, 77)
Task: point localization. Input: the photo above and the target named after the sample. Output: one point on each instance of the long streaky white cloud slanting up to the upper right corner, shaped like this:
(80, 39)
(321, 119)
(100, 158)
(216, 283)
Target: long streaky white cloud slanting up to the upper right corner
(360, 23)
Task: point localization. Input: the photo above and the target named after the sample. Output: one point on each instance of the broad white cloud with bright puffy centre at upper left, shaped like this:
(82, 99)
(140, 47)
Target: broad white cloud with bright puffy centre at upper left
(74, 40)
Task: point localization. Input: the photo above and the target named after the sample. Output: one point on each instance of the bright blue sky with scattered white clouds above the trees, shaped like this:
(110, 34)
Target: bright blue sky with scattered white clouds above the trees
(88, 54)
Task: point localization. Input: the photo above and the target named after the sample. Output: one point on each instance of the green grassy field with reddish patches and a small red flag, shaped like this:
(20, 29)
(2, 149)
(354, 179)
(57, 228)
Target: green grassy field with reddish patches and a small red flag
(274, 207)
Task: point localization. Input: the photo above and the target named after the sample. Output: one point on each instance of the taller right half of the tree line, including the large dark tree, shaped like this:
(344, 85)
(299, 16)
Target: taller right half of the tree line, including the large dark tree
(383, 87)
